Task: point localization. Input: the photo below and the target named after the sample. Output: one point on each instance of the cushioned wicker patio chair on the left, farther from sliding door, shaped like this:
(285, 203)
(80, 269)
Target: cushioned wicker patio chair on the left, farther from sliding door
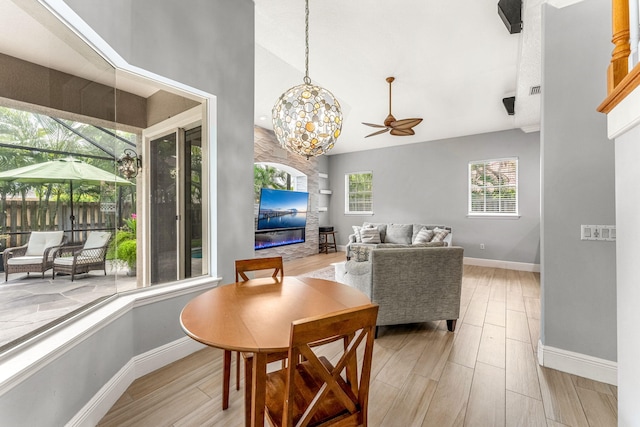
(35, 256)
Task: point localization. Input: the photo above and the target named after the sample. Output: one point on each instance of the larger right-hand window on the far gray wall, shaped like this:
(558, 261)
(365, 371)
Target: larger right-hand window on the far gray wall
(493, 187)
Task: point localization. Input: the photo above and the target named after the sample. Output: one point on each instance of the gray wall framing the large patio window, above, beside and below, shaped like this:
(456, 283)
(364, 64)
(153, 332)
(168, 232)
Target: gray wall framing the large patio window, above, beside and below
(190, 45)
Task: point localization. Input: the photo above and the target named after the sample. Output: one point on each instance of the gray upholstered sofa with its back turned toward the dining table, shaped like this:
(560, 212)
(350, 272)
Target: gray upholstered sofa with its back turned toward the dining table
(410, 284)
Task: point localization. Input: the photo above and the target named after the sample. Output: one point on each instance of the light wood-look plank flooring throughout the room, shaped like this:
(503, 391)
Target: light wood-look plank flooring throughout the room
(483, 374)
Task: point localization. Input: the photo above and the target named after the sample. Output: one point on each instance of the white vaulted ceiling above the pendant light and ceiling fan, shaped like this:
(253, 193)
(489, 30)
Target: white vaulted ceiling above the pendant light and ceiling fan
(453, 62)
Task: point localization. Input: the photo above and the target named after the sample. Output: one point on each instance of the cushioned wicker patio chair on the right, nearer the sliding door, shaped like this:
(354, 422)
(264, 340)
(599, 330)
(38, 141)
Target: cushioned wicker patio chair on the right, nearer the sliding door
(82, 259)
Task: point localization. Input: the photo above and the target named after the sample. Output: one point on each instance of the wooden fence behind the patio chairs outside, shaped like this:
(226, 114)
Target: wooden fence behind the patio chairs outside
(18, 219)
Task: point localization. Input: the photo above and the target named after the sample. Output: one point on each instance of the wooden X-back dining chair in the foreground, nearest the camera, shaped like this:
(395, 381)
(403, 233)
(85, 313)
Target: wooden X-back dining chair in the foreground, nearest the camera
(332, 392)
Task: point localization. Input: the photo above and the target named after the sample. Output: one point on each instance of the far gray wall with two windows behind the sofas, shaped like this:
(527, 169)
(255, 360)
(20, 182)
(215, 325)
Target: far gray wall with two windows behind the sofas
(427, 183)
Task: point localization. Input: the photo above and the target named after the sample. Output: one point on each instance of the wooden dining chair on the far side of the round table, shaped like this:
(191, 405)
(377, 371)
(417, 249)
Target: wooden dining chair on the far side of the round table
(244, 266)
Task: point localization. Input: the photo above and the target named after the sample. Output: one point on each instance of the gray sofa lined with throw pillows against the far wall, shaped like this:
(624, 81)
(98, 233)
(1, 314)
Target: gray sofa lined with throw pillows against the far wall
(390, 235)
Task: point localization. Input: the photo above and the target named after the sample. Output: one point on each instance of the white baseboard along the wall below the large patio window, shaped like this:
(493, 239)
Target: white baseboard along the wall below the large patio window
(101, 402)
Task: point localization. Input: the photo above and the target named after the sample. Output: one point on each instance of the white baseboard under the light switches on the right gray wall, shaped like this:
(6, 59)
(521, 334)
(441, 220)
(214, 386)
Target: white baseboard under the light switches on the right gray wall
(579, 364)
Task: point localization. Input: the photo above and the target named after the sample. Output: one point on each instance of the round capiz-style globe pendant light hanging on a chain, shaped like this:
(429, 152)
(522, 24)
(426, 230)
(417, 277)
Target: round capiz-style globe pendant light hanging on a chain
(307, 118)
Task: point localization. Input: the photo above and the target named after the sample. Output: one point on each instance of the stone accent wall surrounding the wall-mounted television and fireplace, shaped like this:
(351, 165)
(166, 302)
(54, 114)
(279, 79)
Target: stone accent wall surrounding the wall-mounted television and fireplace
(267, 149)
